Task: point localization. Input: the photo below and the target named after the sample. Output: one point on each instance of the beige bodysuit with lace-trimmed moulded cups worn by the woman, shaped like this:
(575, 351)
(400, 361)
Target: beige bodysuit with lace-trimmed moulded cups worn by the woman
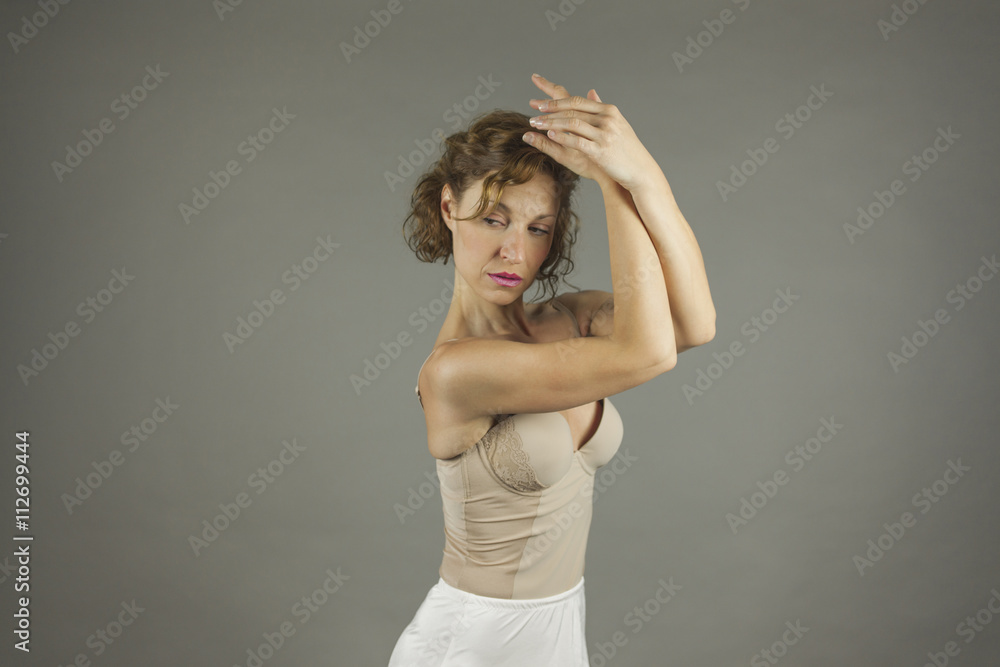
(518, 504)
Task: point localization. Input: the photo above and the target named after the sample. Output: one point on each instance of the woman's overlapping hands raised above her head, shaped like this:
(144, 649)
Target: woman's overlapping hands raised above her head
(591, 138)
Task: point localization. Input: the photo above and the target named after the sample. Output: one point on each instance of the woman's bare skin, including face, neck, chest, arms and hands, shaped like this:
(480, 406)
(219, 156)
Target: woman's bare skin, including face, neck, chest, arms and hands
(509, 358)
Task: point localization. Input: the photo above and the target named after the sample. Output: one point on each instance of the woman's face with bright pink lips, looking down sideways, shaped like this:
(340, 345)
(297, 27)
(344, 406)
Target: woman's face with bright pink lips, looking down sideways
(514, 238)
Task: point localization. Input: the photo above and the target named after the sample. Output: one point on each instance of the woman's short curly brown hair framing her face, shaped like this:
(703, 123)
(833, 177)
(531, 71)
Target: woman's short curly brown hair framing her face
(492, 147)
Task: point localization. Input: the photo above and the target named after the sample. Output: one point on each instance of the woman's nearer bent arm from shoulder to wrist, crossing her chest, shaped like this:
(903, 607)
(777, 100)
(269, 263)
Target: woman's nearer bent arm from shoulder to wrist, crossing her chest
(475, 377)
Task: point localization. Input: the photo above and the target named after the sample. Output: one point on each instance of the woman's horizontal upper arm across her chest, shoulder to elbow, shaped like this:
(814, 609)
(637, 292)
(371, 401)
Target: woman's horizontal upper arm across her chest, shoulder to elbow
(481, 376)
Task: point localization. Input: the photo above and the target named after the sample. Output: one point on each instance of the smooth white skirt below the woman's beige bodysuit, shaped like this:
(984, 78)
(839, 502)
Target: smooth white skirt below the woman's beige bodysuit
(455, 628)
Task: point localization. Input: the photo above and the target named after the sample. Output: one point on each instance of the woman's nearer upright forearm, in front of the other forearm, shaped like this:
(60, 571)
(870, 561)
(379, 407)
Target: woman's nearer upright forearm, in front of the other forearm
(642, 322)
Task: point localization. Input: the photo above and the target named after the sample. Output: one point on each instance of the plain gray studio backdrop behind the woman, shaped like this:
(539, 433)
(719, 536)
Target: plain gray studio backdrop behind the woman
(207, 475)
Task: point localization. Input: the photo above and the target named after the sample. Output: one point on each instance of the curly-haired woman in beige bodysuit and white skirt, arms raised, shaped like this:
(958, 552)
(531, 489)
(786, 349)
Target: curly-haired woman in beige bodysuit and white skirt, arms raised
(515, 395)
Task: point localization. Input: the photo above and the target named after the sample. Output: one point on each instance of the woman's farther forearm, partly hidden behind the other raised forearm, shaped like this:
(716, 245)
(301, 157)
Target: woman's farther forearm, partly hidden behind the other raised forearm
(691, 307)
